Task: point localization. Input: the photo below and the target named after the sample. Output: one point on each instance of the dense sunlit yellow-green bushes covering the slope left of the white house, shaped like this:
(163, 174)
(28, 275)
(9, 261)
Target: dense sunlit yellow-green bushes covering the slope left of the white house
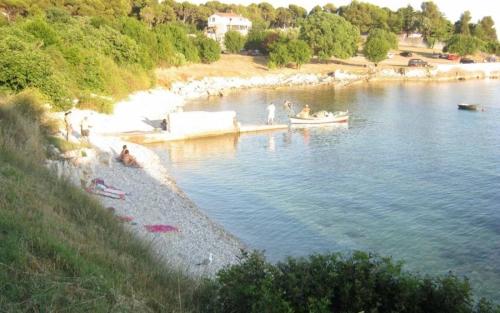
(66, 56)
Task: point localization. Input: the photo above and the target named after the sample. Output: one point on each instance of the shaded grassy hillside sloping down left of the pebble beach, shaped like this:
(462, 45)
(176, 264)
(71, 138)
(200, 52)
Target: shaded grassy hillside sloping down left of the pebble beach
(60, 250)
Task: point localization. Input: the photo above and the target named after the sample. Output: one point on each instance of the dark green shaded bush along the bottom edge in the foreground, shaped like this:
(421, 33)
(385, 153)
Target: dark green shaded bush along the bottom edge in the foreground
(360, 282)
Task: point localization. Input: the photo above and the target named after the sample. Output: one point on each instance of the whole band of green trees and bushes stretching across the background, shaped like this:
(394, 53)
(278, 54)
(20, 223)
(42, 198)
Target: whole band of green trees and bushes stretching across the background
(75, 48)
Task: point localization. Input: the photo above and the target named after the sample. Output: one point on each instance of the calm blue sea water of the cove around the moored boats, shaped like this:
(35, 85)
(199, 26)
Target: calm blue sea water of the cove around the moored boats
(411, 176)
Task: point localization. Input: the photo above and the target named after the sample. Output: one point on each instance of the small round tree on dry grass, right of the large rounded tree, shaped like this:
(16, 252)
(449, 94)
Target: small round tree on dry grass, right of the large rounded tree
(378, 43)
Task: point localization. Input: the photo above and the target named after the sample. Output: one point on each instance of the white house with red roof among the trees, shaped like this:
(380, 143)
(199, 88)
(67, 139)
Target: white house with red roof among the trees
(220, 23)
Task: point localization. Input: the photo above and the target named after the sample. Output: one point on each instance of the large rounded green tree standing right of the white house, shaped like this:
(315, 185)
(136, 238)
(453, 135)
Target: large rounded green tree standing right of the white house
(330, 35)
